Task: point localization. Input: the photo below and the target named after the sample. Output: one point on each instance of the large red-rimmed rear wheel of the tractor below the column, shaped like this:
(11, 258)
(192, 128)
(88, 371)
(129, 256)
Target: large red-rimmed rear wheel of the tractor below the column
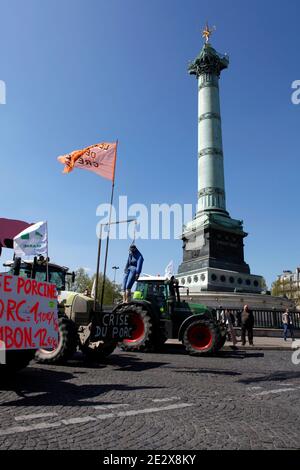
(142, 335)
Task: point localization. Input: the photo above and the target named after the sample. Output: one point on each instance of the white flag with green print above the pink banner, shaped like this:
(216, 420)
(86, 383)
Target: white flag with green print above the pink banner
(33, 241)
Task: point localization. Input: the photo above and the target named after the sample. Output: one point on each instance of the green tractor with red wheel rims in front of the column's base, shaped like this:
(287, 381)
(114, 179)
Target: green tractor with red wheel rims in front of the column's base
(157, 316)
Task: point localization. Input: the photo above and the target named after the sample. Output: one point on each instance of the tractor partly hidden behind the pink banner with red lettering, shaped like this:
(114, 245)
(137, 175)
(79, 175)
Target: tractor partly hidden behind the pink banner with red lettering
(76, 316)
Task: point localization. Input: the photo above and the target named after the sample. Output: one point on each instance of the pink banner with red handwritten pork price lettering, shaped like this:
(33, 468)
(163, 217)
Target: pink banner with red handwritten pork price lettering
(28, 313)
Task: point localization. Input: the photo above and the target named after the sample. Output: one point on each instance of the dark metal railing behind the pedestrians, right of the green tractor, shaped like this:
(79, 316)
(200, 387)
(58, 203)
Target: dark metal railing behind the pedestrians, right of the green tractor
(265, 318)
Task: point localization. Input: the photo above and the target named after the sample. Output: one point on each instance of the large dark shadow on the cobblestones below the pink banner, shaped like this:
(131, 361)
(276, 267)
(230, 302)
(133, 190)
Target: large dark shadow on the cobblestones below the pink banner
(49, 387)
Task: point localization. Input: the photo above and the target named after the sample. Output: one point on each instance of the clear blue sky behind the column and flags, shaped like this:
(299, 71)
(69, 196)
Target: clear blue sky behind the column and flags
(79, 72)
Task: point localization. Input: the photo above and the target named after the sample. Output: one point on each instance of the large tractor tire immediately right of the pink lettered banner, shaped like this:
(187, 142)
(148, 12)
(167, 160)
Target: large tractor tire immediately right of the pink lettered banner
(67, 344)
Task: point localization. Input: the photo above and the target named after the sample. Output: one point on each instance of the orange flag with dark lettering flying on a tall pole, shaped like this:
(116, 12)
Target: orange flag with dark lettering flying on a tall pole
(99, 158)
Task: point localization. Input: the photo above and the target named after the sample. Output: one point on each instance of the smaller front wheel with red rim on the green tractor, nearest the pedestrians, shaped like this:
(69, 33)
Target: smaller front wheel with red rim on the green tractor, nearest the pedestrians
(200, 338)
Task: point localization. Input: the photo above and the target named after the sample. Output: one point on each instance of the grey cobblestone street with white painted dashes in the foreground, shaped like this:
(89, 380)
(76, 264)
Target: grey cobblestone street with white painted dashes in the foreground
(167, 401)
